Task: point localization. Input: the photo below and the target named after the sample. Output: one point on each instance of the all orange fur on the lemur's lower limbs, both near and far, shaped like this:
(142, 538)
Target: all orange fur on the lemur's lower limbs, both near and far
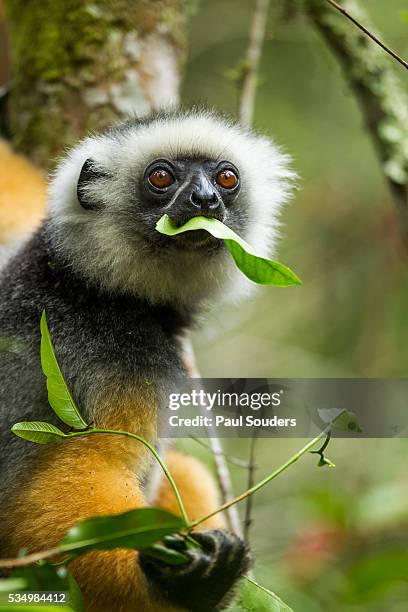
(92, 476)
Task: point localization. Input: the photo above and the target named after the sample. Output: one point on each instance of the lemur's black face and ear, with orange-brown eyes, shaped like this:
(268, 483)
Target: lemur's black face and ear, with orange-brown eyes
(180, 188)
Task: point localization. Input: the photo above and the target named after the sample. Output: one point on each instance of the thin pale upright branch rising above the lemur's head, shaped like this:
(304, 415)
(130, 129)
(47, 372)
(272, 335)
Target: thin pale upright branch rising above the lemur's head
(251, 62)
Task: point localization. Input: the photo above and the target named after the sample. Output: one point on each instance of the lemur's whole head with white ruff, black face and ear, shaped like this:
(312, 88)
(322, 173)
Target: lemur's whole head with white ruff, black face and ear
(108, 194)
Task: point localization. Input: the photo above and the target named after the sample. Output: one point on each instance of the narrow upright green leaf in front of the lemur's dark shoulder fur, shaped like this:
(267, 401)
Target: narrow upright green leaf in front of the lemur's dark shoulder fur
(58, 393)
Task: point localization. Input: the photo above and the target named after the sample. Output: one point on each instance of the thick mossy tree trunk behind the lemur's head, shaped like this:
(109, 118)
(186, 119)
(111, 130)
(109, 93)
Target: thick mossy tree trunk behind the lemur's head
(79, 65)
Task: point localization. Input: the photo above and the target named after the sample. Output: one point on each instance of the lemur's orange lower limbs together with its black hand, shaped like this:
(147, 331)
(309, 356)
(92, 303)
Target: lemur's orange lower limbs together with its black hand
(89, 476)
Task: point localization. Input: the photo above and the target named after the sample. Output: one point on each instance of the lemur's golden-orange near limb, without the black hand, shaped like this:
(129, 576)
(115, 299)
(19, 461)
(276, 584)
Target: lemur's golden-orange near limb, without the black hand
(75, 480)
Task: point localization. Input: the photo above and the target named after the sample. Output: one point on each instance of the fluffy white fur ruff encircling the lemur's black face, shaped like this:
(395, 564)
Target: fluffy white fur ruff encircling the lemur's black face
(94, 242)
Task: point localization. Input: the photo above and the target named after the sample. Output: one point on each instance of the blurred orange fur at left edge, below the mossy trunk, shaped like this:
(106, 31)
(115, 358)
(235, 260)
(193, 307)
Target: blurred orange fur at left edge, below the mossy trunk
(22, 195)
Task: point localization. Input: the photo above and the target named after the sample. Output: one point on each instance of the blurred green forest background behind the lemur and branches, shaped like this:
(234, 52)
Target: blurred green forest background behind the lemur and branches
(325, 540)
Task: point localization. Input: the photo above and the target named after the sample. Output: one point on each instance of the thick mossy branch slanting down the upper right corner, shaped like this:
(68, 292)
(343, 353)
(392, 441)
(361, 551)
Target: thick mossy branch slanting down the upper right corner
(375, 84)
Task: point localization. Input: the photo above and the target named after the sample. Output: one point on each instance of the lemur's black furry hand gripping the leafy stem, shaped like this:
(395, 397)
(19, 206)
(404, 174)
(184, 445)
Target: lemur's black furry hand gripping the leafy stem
(205, 584)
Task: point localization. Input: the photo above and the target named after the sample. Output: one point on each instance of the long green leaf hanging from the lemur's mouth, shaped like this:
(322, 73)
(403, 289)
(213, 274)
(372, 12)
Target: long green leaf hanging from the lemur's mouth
(258, 269)
